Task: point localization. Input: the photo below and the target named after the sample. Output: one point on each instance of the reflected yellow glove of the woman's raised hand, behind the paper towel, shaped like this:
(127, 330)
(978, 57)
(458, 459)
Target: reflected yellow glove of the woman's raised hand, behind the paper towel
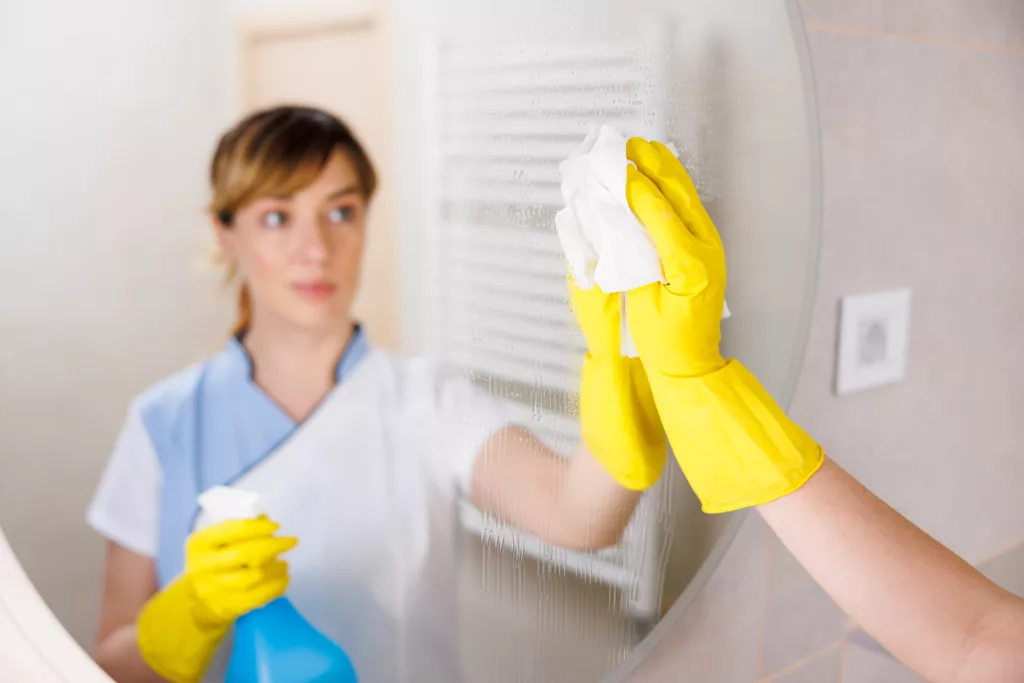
(618, 415)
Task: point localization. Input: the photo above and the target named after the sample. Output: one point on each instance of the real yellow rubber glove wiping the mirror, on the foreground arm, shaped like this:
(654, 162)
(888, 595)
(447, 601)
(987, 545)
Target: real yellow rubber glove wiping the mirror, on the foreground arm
(736, 446)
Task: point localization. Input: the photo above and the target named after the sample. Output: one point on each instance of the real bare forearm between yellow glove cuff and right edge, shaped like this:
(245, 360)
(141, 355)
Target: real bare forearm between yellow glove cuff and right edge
(930, 609)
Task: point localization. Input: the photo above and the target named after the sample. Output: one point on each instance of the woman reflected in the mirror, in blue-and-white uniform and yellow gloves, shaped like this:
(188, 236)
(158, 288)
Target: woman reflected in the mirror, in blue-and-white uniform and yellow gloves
(358, 455)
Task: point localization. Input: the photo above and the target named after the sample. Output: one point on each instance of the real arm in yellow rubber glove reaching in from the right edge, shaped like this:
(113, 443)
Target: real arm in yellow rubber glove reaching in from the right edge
(931, 610)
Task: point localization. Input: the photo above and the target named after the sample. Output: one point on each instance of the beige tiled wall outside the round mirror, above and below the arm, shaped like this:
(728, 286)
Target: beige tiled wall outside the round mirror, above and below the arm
(922, 113)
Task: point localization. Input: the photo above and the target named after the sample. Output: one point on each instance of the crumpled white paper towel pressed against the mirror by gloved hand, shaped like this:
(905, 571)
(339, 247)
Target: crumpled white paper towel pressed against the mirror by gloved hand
(604, 241)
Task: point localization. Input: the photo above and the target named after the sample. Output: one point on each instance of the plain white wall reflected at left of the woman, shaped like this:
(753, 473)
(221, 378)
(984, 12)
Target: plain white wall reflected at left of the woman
(110, 112)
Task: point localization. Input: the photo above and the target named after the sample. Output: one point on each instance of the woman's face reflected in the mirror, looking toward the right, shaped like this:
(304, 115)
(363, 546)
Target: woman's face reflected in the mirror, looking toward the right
(301, 255)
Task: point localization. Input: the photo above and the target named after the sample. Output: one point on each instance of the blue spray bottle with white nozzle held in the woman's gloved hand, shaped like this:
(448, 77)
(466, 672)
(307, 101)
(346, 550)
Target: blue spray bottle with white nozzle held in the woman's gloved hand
(274, 644)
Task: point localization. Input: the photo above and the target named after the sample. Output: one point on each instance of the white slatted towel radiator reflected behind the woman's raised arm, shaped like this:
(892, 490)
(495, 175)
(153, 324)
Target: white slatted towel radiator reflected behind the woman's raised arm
(499, 120)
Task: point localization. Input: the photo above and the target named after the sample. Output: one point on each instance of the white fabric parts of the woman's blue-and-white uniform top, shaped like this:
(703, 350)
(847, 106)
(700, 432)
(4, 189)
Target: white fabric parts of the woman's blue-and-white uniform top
(368, 485)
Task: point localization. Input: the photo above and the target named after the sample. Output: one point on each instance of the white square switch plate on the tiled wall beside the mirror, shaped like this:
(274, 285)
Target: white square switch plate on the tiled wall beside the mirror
(873, 345)
